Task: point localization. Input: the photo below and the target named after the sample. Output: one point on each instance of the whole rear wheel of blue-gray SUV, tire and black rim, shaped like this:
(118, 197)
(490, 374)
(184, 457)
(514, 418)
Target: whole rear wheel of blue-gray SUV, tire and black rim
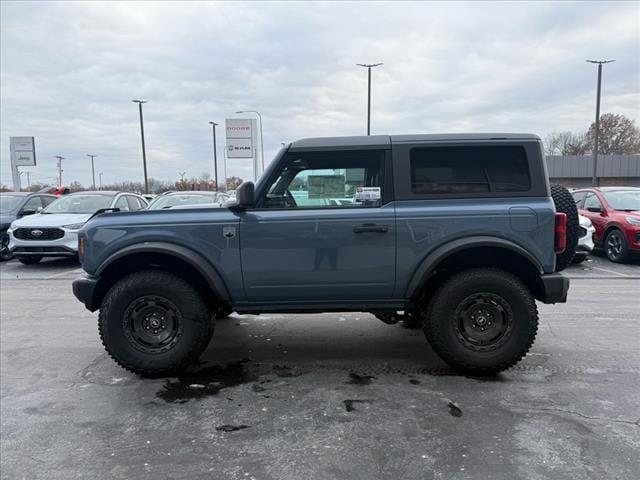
(482, 321)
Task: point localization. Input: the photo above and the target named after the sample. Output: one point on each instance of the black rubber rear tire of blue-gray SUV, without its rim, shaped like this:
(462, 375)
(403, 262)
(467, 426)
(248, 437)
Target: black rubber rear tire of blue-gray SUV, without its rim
(442, 323)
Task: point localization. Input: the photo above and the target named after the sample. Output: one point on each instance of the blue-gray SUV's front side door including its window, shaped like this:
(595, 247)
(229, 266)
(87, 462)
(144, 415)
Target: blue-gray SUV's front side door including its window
(324, 229)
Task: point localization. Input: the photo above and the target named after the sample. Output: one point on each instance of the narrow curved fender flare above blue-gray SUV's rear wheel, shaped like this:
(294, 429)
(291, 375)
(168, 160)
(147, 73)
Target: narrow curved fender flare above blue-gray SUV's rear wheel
(431, 261)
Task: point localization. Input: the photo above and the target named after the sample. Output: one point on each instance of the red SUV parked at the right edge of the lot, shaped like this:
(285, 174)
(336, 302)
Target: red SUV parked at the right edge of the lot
(615, 214)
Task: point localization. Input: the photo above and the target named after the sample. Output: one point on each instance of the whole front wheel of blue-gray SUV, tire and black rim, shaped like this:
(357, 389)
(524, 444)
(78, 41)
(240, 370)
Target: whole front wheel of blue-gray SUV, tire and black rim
(154, 323)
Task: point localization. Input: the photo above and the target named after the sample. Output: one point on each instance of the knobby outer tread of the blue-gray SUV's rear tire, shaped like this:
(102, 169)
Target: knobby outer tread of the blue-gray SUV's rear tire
(455, 282)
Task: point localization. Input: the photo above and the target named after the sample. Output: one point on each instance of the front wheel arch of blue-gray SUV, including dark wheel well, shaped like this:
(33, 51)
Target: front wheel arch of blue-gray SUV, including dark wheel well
(182, 261)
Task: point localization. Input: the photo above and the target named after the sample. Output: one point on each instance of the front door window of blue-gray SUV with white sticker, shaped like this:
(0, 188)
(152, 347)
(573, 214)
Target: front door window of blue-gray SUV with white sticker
(328, 180)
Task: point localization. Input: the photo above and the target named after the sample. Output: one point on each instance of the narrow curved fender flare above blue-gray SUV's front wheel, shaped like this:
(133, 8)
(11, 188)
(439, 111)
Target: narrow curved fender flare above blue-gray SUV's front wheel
(195, 260)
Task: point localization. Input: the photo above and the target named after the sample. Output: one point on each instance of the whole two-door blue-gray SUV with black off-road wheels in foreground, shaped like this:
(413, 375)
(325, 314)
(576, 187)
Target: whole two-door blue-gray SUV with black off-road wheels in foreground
(458, 234)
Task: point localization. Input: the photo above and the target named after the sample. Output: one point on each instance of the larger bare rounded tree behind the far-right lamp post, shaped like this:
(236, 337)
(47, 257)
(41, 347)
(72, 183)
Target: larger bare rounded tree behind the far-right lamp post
(618, 135)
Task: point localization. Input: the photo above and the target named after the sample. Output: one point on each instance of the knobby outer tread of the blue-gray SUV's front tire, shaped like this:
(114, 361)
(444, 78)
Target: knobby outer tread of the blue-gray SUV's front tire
(180, 287)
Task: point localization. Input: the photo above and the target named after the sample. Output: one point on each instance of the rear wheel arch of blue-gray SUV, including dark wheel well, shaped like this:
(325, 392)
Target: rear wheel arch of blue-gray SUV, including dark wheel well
(472, 252)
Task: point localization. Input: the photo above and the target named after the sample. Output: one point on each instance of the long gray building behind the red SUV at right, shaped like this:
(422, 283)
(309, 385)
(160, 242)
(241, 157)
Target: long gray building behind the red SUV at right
(575, 170)
